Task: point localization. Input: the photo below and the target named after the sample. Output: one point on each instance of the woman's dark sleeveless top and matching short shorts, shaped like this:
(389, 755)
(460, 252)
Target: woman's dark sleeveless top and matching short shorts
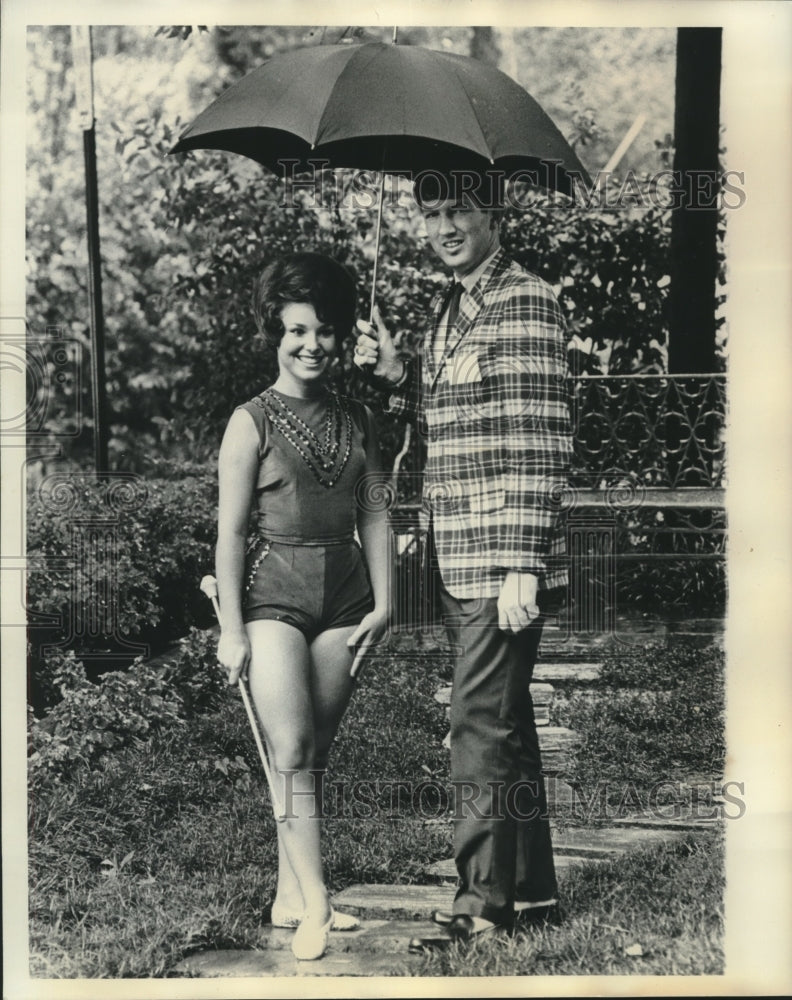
(305, 567)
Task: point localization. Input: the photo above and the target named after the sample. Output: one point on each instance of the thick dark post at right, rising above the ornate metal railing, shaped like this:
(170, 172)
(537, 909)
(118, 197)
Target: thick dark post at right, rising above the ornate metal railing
(694, 221)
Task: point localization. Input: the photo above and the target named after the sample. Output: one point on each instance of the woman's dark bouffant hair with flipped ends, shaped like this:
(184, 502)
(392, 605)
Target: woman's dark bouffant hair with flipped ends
(310, 278)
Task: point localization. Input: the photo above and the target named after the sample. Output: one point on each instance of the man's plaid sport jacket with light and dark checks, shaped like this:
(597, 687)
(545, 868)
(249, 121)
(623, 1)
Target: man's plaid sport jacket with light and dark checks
(496, 419)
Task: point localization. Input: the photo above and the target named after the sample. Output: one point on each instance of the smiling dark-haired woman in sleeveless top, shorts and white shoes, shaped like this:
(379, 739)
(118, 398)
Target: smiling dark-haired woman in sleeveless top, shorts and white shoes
(299, 600)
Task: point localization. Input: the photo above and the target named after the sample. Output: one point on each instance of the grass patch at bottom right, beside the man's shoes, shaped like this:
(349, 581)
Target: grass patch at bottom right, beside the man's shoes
(655, 912)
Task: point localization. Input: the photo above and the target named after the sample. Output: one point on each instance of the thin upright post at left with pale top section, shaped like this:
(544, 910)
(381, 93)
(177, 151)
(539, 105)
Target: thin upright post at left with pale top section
(83, 69)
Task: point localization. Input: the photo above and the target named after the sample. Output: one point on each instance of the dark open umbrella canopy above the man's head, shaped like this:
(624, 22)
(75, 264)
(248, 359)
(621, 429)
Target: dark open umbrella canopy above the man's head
(385, 107)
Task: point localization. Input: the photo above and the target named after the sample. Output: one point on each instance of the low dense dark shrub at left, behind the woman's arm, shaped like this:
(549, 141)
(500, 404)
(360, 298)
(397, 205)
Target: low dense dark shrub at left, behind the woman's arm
(116, 567)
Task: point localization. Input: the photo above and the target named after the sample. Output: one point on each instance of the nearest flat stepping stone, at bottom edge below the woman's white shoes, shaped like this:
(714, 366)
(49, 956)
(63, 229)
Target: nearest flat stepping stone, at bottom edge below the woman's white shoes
(276, 962)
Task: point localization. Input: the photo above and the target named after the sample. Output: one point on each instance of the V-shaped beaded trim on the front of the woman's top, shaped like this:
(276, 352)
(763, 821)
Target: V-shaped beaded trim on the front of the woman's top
(325, 459)
